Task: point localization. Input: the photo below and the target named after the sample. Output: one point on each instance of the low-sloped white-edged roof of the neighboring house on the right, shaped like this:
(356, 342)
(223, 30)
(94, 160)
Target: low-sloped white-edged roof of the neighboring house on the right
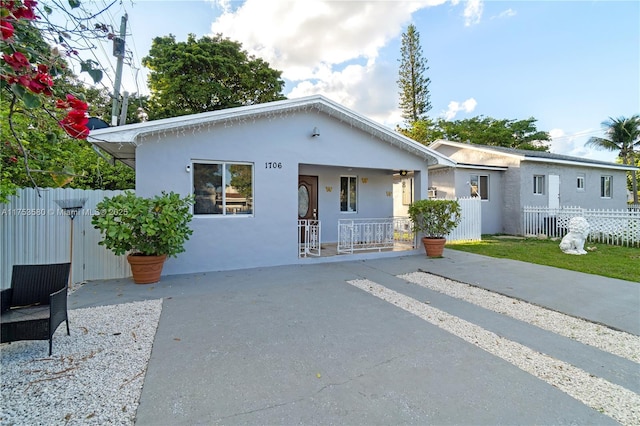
(534, 156)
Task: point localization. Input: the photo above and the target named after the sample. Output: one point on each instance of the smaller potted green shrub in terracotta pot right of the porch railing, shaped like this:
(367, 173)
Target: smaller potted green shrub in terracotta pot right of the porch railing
(434, 219)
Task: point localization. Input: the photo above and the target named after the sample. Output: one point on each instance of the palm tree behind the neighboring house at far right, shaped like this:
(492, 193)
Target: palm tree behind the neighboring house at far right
(623, 136)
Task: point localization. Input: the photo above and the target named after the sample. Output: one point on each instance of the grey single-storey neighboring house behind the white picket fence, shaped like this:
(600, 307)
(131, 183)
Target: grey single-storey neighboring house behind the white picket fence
(508, 179)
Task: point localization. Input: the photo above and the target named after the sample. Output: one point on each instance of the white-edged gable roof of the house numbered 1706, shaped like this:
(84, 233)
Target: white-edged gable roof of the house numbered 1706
(121, 141)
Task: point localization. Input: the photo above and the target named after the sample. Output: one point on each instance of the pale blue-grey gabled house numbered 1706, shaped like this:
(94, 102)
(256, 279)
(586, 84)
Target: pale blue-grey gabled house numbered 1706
(257, 170)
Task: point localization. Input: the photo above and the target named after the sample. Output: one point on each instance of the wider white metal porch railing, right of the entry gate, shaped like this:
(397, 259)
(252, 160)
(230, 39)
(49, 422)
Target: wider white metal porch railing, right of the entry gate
(373, 234)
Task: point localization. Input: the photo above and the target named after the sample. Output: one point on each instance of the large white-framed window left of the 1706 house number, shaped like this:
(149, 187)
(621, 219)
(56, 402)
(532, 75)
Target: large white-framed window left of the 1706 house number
(223, 189)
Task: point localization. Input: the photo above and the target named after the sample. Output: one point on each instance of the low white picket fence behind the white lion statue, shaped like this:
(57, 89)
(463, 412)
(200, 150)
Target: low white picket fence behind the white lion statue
(620, 227)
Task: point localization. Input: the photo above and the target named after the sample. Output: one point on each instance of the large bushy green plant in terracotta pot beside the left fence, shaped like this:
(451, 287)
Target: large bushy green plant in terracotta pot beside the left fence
(147, 229)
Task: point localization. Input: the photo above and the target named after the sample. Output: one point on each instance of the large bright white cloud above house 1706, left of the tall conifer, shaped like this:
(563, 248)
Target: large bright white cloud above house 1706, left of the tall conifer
(327, 47)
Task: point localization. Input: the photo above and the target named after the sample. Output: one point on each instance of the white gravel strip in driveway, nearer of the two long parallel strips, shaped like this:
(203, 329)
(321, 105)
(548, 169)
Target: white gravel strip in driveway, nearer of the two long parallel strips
(612, 400)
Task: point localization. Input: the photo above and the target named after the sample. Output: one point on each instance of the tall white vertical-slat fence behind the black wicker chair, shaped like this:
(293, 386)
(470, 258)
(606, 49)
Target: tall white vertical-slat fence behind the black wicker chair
(34, 228)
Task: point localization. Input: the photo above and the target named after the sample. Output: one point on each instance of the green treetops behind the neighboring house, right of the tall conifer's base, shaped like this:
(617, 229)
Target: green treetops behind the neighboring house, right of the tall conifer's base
(520, 134)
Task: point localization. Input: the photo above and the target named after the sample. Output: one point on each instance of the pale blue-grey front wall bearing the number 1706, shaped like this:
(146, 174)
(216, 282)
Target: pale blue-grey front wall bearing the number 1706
(269, 236)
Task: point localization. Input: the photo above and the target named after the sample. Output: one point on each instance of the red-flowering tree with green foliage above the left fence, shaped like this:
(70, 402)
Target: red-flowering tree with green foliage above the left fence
(42, 104)
